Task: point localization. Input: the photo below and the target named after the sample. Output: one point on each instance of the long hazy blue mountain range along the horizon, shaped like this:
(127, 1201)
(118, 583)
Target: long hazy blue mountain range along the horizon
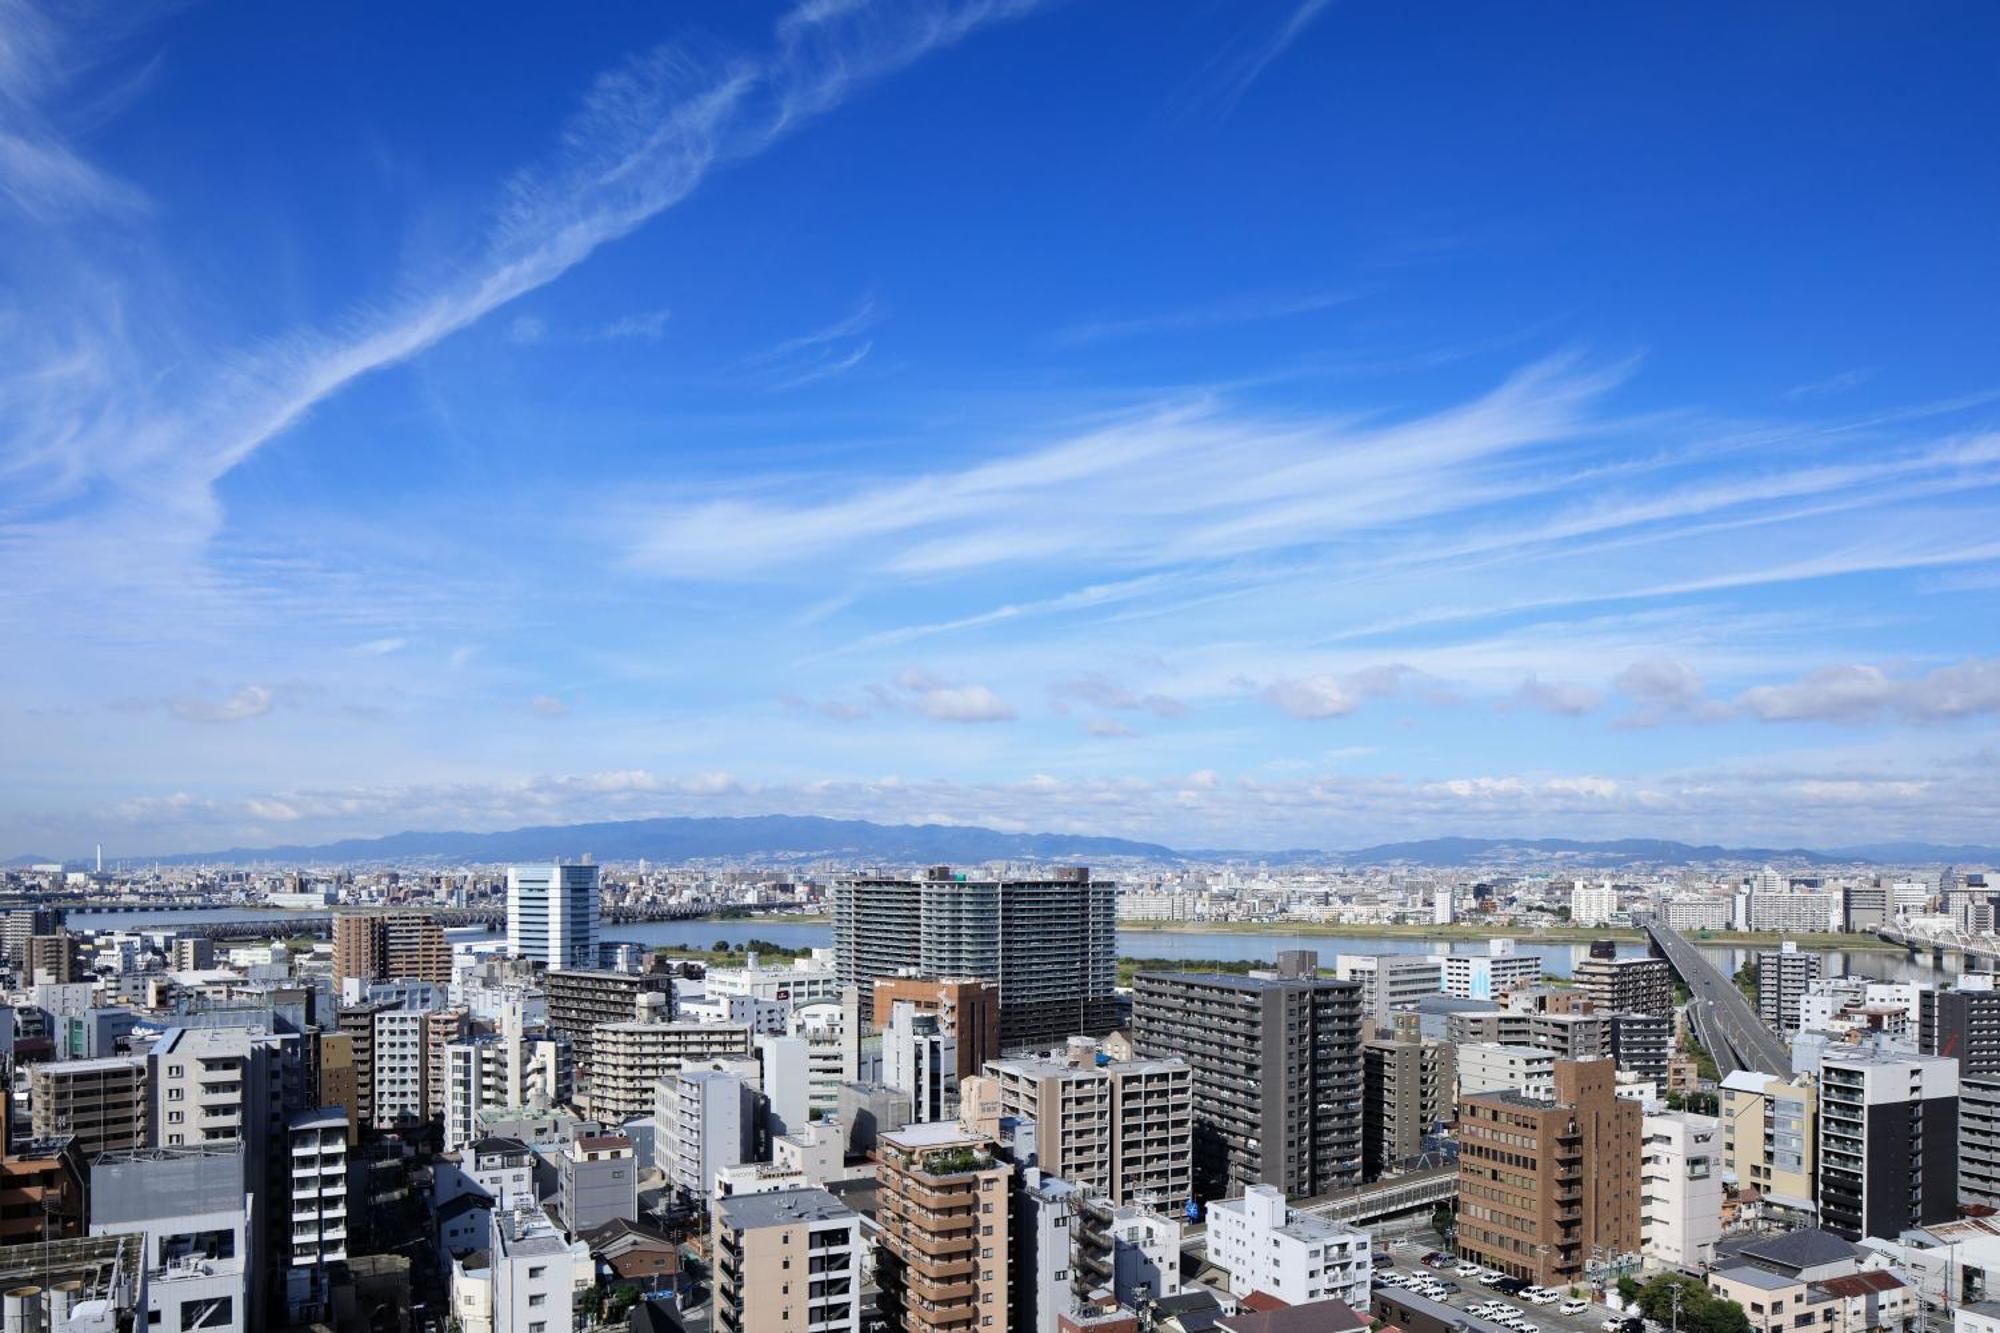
(857, 840)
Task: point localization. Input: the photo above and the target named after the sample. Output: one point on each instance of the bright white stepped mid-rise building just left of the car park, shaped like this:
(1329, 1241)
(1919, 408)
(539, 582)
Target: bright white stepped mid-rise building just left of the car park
(1293, 1256)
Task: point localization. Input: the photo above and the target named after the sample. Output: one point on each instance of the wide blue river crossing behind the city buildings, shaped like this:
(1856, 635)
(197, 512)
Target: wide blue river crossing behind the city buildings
(1559, 960)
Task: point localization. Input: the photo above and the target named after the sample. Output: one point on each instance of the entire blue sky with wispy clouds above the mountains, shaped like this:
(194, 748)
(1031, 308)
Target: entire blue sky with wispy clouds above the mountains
(1247, 425)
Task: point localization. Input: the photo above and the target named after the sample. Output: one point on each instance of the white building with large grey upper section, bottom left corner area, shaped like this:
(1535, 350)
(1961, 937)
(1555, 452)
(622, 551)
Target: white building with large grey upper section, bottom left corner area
(203, 1238)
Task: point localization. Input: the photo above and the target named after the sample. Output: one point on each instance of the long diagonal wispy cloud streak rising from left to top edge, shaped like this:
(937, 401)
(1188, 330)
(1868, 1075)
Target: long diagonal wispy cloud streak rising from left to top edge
(647, 139)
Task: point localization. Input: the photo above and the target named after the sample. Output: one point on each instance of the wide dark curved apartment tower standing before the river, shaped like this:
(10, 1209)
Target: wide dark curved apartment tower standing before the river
(1049, 944)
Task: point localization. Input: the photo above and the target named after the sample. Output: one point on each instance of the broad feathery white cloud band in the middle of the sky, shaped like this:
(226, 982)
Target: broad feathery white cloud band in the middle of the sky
(1217, 485)
